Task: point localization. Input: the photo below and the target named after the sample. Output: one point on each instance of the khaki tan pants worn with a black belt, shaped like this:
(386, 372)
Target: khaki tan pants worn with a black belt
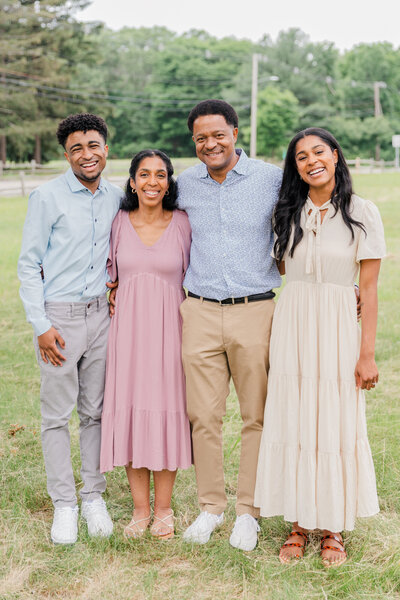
(220, 342)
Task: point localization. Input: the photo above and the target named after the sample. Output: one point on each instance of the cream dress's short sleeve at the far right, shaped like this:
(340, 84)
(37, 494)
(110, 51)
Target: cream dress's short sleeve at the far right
(371, 244)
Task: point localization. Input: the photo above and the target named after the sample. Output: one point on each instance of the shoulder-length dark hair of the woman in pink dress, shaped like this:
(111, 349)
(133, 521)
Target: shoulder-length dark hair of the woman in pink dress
(131, 200)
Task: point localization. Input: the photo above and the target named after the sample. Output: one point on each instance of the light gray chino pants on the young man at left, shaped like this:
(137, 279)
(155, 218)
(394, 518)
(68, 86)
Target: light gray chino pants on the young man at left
(79, 382)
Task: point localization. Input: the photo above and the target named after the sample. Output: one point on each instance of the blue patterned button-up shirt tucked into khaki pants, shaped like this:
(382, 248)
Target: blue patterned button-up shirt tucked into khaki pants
(232, 235)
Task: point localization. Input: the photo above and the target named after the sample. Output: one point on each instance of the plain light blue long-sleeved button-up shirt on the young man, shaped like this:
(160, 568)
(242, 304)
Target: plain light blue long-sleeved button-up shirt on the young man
(67, 231)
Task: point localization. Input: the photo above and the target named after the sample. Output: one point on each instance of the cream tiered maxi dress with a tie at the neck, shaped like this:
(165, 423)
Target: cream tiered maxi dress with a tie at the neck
(315, 465)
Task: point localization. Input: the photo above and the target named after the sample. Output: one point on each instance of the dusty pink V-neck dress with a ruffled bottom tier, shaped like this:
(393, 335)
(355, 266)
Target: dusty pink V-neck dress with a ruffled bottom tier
(144, 419)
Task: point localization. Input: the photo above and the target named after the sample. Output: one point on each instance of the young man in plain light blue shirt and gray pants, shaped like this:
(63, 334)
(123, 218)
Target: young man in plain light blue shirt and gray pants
(62, 269)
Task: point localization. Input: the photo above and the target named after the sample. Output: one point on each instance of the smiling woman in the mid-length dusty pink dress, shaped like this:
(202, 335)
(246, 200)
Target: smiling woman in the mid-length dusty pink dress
(144, 424)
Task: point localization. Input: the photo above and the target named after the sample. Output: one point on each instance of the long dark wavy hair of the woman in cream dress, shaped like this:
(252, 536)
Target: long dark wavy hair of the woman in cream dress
(294, 192)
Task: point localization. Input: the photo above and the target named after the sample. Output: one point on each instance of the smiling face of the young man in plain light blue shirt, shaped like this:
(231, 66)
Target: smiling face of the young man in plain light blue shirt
(86, 153)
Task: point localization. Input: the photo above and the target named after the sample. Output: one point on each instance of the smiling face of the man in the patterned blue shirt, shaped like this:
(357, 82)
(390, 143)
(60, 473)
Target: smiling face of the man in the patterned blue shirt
(215, 143)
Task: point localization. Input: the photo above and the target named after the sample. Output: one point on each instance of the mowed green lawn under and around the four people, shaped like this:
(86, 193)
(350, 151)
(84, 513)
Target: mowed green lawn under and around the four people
(116, 569)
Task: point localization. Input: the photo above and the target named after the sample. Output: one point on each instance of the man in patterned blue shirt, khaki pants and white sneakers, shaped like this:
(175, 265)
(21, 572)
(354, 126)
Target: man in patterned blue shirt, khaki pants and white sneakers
(227, 315)
